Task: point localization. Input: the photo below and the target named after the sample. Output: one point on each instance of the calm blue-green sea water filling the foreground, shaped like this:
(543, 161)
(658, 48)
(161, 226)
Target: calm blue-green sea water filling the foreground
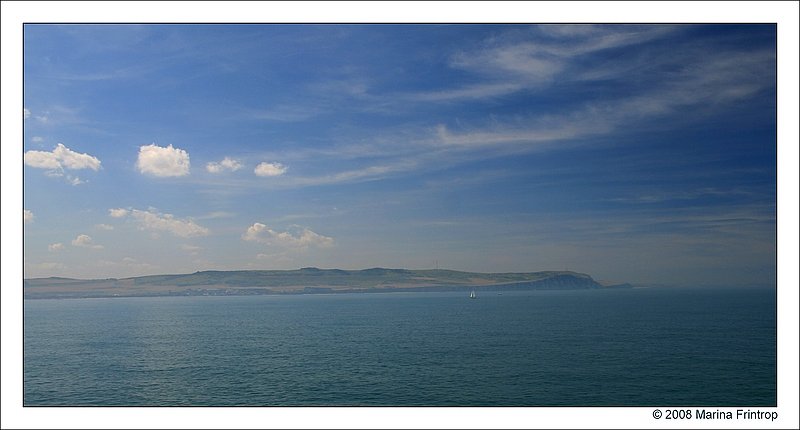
(632, 347)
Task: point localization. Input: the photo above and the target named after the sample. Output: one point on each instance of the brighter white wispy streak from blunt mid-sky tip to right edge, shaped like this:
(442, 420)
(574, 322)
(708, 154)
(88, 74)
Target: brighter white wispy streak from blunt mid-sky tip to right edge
(713, 84)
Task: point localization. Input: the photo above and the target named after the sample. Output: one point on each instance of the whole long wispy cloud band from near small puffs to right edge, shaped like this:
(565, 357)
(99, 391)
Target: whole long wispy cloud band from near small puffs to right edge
(717, 83)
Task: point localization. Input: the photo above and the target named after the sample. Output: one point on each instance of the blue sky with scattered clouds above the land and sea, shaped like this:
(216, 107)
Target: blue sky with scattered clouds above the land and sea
(633, 153)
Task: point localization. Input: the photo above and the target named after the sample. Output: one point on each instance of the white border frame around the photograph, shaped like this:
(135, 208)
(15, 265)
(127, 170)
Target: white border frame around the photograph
(785, 14)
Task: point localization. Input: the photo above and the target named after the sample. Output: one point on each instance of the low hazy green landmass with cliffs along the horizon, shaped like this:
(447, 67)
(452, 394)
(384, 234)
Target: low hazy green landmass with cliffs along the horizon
(308, 280)
